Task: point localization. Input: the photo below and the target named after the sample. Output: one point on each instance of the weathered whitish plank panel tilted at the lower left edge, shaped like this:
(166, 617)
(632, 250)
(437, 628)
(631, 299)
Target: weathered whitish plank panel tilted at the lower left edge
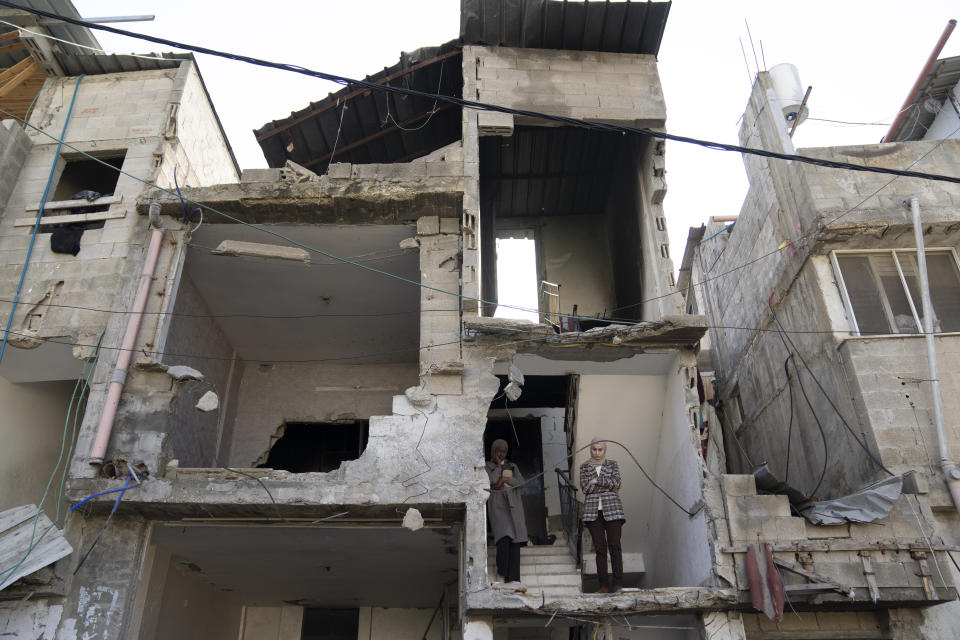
(32, 547)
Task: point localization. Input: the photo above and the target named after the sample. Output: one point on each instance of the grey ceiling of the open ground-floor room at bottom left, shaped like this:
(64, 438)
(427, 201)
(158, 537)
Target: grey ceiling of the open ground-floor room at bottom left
(348, 566)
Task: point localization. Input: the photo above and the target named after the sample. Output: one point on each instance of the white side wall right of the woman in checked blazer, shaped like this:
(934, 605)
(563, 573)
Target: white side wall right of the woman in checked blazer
(681, 556)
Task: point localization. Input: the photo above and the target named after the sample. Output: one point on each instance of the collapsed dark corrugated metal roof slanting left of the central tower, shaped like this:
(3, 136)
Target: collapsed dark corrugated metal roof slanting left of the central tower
(376, 126)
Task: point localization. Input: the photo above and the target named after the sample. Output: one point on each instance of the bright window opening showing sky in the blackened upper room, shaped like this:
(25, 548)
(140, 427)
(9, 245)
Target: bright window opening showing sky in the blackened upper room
(517, 277)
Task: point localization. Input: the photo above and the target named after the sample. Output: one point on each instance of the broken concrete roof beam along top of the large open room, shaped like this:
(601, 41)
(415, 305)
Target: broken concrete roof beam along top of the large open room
(347, 201)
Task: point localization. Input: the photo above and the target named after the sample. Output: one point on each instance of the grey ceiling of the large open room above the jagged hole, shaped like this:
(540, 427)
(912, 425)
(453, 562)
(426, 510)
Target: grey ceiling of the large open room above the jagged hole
(329, 310)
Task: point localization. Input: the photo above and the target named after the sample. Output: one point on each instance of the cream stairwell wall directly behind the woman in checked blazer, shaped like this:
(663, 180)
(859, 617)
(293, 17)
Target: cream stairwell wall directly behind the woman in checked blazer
(628, 409)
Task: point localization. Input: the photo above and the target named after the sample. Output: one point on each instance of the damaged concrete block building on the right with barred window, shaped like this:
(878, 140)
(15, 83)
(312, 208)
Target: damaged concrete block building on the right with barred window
(826, 337)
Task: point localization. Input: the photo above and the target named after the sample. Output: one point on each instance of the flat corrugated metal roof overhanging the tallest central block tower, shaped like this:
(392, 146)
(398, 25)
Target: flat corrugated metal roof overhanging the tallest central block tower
(618, 27)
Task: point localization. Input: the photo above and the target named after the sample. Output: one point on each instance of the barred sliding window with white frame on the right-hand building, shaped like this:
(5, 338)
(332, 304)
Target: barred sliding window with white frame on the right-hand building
(881, 290)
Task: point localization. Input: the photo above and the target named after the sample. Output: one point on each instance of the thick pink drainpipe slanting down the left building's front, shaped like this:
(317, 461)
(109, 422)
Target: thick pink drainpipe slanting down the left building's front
(119, 375)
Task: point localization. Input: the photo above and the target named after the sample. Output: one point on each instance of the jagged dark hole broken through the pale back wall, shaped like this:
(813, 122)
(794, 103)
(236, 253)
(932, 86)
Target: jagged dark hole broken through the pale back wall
(317, 446)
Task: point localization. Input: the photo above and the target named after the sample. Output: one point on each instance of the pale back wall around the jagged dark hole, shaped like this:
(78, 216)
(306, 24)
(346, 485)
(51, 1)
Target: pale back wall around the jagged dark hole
(270, 395)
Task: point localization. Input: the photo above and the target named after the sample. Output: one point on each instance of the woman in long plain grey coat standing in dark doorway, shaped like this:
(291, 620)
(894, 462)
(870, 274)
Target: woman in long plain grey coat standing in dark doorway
(505, 512)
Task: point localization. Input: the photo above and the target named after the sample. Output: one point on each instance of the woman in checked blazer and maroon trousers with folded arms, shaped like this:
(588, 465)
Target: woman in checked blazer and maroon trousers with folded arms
(603, 512)
